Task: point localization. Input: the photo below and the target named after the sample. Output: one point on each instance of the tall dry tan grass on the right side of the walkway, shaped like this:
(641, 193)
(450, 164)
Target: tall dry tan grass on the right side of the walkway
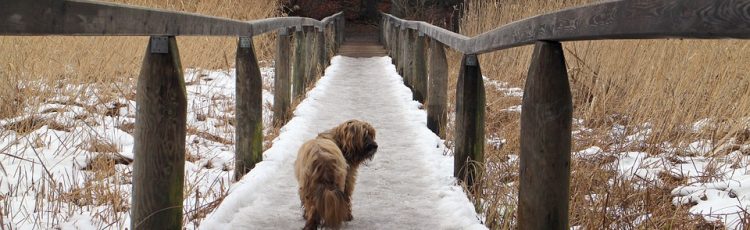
(667, 84)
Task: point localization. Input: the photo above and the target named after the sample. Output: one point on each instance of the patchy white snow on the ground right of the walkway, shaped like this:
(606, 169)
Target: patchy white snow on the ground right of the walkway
(717, 187)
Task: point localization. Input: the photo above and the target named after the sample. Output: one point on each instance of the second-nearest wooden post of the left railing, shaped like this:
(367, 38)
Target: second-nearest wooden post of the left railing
(249, 117)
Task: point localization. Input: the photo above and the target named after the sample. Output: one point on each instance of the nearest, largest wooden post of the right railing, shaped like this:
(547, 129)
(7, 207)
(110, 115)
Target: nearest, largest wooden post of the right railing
(546, 119)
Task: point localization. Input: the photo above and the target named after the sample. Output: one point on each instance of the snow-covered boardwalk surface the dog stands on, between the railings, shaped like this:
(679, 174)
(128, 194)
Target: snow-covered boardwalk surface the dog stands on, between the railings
(408, 184)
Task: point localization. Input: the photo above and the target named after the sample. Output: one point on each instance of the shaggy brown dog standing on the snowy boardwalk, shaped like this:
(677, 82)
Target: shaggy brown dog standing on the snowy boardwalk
(326, 170)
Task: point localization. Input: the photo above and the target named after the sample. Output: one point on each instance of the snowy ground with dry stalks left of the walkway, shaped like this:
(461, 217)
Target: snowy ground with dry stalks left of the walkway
(46, 175)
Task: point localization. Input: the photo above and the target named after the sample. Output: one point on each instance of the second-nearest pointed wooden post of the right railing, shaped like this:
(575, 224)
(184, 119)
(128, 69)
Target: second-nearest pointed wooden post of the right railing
(469, 136)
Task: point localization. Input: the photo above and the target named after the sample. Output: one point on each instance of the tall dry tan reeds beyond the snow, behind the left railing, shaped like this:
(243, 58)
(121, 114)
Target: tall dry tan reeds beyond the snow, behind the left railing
(30, 67)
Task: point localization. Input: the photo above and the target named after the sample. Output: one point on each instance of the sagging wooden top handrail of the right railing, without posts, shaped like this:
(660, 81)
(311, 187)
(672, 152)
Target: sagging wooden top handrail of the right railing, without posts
(621, 19)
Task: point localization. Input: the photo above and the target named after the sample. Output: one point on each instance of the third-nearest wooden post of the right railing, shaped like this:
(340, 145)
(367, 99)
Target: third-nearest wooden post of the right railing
(437, 101)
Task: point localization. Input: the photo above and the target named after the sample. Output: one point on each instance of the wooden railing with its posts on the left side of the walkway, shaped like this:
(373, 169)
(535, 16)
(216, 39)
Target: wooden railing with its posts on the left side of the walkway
(160, 129)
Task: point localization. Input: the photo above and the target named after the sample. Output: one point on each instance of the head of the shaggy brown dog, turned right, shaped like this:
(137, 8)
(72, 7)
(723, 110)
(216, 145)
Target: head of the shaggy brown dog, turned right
(356, 140)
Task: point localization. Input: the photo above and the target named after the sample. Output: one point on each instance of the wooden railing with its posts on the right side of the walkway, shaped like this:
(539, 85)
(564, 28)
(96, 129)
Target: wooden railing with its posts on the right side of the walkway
(547, 106)
